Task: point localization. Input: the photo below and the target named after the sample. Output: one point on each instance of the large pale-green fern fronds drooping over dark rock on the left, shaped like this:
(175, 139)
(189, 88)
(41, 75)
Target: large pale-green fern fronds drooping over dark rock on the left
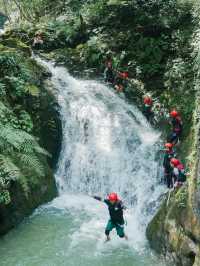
(21, 157)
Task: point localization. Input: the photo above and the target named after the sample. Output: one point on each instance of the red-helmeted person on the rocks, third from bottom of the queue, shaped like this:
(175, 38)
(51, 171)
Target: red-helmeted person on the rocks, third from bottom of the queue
(177, 127)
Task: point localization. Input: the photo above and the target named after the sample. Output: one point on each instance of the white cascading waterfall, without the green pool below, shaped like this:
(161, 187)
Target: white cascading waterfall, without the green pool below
(107, 146)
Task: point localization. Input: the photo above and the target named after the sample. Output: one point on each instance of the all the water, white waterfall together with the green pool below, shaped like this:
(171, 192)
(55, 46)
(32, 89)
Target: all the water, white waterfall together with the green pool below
(107, 146)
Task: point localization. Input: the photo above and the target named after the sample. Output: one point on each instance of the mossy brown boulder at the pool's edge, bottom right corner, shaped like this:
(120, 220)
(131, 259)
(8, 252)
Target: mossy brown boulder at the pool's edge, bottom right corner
(175, 229)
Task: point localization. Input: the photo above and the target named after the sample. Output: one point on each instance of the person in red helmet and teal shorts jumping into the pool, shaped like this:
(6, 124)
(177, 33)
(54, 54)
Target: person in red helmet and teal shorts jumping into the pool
(115, 207)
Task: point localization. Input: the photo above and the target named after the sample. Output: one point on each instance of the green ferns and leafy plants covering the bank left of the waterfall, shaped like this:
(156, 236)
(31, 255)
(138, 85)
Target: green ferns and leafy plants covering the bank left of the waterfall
(22, 160)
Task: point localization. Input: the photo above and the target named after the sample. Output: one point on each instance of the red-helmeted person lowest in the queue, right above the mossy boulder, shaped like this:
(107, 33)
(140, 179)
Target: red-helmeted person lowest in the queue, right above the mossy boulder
(178, 173)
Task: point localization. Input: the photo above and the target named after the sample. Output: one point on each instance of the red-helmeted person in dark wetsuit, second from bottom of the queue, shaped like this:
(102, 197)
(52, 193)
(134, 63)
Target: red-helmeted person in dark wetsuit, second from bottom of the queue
(169, 154)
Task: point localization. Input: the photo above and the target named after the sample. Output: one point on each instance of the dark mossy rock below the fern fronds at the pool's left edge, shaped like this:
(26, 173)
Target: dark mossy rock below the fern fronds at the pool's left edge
(22, 205)
